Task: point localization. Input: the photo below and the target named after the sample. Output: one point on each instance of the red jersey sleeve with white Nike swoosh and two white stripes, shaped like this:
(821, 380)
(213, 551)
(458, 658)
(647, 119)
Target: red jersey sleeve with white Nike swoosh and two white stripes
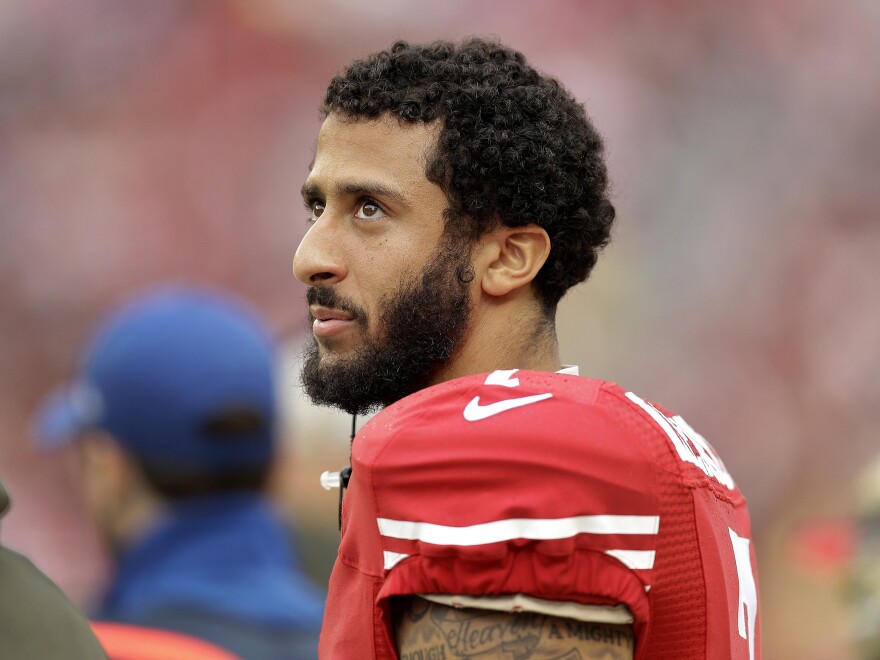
(493, 489)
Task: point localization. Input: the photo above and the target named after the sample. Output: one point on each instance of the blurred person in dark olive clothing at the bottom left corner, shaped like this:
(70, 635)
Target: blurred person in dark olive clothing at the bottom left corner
(36, 619)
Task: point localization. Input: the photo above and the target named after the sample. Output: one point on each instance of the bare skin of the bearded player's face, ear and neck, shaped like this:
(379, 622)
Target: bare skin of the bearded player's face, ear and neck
(376, 219)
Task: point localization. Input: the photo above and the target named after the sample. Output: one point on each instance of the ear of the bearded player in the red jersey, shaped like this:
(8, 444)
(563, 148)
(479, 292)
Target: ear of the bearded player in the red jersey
(513, 257)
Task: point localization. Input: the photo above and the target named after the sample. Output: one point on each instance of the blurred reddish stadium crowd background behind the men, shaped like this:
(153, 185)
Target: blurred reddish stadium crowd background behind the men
(167, 140)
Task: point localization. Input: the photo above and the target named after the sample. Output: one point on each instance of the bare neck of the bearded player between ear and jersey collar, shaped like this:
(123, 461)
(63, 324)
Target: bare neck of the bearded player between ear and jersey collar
(512, 333)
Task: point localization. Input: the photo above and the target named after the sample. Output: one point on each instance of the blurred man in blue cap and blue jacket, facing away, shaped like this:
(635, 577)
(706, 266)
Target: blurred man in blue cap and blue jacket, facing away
(173, 414)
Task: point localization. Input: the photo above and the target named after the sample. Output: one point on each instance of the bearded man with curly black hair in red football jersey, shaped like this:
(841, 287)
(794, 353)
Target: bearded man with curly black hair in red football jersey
(495, 509)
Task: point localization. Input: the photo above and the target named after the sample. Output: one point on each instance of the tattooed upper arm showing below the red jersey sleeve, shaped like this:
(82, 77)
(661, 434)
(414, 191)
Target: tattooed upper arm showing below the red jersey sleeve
(429, 631)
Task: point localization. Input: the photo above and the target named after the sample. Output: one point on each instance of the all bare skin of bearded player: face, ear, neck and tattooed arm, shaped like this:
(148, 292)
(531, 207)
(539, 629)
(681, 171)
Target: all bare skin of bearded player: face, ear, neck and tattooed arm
(376, 220)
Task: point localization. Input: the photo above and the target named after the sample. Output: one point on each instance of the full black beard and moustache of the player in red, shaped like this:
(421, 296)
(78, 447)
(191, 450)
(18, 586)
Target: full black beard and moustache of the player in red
(421, 325)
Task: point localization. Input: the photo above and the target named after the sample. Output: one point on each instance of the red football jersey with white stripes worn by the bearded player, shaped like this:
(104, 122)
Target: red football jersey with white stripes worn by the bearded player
(551, 486)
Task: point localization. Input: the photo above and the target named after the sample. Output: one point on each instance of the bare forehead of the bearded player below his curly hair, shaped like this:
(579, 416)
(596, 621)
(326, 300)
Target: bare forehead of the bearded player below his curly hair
(382, 149)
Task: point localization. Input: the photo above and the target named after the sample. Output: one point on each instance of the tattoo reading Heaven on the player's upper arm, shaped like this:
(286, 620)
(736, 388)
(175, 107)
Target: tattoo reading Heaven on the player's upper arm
(473, 632)
